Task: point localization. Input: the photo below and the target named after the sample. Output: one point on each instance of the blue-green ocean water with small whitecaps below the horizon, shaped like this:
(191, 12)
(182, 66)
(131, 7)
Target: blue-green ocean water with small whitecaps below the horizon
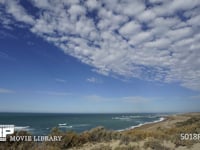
(42, 123)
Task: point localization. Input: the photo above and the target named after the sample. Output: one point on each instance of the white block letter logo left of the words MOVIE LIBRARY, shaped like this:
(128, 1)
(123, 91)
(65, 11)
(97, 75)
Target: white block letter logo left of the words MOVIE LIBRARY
(5, 130)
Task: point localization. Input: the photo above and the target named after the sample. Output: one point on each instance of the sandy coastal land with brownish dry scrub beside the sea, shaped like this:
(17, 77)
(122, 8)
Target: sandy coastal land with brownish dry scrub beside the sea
(161, 134)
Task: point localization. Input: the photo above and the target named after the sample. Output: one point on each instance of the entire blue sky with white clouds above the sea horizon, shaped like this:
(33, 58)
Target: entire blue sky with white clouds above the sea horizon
(92, 56)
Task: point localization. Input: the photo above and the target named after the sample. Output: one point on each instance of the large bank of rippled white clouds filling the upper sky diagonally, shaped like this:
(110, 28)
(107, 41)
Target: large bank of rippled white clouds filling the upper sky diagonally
(152, 40)
